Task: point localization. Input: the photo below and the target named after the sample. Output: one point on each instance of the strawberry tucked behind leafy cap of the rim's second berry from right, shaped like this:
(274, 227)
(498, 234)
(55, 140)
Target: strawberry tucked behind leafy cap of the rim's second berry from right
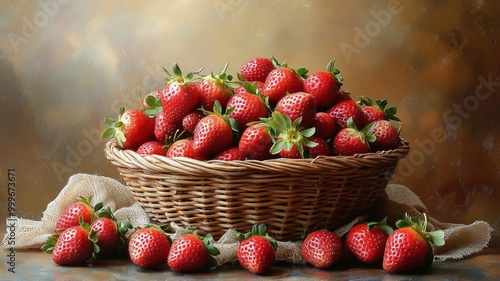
(344, 110)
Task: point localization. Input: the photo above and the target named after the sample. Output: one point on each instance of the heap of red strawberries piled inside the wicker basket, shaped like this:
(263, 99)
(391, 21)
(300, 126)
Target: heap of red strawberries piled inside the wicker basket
(271, 111)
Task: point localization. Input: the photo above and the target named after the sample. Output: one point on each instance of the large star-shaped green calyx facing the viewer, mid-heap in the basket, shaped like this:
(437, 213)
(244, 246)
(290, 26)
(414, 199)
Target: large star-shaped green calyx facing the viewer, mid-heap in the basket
(285, 134)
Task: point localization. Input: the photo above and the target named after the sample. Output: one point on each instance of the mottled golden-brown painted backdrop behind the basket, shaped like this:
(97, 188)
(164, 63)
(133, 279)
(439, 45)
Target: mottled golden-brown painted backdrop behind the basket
(65, 65)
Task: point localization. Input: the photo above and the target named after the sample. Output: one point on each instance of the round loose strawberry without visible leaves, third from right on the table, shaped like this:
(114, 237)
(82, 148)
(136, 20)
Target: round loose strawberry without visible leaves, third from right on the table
(322, 249)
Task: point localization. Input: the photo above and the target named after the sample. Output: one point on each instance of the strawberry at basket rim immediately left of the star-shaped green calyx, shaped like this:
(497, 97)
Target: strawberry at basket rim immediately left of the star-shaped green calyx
(256, 142)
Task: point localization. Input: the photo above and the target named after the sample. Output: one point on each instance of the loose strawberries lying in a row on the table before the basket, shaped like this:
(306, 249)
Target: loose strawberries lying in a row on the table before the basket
(85, 232)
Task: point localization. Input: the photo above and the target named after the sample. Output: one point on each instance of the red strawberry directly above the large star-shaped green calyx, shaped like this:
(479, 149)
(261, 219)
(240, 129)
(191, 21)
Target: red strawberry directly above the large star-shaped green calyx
(299, 104)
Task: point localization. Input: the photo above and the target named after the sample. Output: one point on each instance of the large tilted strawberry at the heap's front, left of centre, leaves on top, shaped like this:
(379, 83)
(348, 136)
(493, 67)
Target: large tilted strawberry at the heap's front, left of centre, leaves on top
(214, 132)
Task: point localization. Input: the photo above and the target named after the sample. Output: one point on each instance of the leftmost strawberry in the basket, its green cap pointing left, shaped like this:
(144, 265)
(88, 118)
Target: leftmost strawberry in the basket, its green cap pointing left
(132, 129)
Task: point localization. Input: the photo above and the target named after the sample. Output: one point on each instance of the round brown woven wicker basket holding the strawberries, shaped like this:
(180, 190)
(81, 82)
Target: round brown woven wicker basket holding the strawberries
(287, 195)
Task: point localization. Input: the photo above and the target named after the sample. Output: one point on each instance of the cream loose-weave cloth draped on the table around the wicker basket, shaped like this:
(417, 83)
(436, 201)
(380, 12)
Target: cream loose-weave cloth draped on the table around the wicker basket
(461, 240)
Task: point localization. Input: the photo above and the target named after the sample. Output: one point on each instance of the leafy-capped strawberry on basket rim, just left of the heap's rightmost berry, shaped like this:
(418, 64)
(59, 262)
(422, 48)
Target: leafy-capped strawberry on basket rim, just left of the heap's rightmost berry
(350, 140)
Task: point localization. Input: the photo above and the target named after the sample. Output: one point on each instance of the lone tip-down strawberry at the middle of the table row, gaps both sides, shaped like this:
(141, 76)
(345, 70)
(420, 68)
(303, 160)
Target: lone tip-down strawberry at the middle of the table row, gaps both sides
(257, 250)
